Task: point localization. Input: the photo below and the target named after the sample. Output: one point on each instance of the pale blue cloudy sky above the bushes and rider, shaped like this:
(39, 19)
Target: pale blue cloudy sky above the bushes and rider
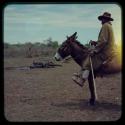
(38, 22)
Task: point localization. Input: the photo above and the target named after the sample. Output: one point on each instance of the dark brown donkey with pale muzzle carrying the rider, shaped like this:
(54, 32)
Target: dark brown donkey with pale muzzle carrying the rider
(78, 52)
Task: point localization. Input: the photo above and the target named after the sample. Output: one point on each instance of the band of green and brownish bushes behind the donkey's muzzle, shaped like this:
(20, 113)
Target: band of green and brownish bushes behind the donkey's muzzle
(29, 50)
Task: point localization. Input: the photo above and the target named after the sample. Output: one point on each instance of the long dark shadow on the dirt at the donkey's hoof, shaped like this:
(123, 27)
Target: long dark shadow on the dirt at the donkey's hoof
(84, 105)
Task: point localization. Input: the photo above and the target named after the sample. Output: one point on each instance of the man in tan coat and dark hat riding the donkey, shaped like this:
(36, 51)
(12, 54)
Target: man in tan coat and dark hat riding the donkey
(103, 51)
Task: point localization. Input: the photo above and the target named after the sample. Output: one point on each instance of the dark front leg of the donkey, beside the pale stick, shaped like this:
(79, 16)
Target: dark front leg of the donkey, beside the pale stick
(92, 90)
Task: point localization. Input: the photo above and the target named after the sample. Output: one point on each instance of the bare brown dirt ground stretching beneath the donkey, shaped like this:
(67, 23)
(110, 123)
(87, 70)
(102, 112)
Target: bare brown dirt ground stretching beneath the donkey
(51, 95)
